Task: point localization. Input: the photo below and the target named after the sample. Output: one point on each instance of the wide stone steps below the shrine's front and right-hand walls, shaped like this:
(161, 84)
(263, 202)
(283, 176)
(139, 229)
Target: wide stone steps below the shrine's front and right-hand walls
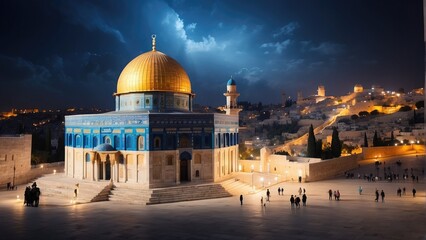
(138, 195)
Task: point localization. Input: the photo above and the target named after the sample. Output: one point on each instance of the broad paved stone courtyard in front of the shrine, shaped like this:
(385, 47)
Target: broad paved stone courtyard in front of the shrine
(355, 216)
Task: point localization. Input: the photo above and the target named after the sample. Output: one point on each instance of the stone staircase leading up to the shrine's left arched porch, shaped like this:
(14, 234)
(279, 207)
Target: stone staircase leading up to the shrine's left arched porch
(57, 189)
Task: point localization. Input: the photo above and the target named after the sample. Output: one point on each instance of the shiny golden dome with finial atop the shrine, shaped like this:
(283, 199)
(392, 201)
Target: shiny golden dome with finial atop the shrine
(153, 71)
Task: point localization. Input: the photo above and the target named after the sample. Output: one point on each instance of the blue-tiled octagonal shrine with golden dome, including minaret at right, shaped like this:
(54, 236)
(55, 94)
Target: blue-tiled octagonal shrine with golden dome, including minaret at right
(153, 138)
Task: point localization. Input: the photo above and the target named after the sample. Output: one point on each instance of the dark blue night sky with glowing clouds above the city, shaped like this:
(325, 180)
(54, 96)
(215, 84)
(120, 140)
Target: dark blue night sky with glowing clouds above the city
(57, 54)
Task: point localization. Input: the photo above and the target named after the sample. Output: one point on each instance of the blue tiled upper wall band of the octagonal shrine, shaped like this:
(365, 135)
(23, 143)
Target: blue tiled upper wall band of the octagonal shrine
(151, 131)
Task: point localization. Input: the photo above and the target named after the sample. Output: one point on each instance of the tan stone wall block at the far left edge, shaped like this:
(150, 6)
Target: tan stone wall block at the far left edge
(15, 158)
